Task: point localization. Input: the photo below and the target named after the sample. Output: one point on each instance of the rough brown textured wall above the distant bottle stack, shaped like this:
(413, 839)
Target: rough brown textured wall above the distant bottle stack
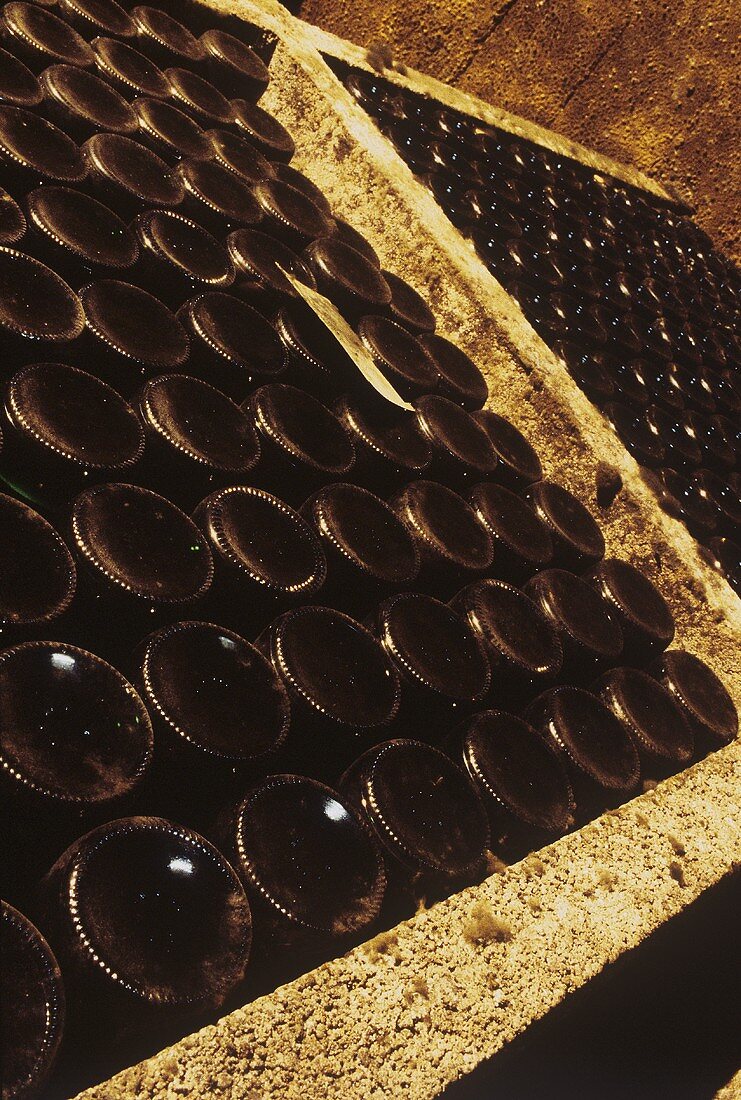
(652, 83)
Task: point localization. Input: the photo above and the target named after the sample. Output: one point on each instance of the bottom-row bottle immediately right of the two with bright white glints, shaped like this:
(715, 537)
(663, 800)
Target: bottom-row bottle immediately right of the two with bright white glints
(428, 817)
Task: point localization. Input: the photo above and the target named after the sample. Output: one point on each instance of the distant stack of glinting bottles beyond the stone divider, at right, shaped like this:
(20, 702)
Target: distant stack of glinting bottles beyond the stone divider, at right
(624, 288)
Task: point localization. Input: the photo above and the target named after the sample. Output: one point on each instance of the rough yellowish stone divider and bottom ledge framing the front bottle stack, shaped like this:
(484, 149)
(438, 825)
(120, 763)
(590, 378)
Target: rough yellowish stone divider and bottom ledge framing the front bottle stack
(424, 1005)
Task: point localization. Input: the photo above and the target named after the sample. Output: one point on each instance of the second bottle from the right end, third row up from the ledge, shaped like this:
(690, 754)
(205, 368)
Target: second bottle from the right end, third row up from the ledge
(523, 543)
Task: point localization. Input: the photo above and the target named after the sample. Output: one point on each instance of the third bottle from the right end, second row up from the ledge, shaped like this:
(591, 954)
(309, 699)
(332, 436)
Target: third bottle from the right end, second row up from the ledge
(521, 642)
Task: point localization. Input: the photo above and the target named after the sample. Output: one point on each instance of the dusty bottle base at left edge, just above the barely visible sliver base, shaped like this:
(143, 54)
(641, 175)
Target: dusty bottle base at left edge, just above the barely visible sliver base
(35, 151)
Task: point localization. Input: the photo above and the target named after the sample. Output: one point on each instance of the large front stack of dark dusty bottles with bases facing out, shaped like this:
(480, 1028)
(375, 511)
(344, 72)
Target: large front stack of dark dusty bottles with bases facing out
(280, 659)
